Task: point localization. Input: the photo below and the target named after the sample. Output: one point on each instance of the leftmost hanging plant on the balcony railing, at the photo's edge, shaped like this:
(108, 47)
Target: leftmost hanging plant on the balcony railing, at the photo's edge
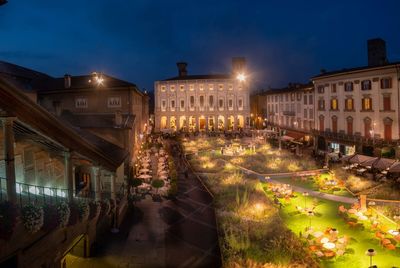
(8, 219)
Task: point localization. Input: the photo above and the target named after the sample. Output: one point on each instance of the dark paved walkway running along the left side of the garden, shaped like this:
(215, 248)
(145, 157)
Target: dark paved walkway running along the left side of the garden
(180, 232)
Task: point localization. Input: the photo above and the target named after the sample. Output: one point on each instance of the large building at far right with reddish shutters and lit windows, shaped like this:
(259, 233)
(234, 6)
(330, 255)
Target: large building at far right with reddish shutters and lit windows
(358, 109)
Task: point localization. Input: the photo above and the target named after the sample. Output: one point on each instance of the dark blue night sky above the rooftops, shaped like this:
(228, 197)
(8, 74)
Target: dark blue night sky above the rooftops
(140, 41)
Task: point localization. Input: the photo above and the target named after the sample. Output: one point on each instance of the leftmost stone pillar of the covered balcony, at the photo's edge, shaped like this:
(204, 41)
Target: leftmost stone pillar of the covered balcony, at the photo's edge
(8, 134)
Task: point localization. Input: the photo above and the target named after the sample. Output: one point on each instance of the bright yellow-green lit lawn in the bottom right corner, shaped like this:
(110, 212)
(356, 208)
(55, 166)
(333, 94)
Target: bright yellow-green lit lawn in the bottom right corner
(327, 216)
